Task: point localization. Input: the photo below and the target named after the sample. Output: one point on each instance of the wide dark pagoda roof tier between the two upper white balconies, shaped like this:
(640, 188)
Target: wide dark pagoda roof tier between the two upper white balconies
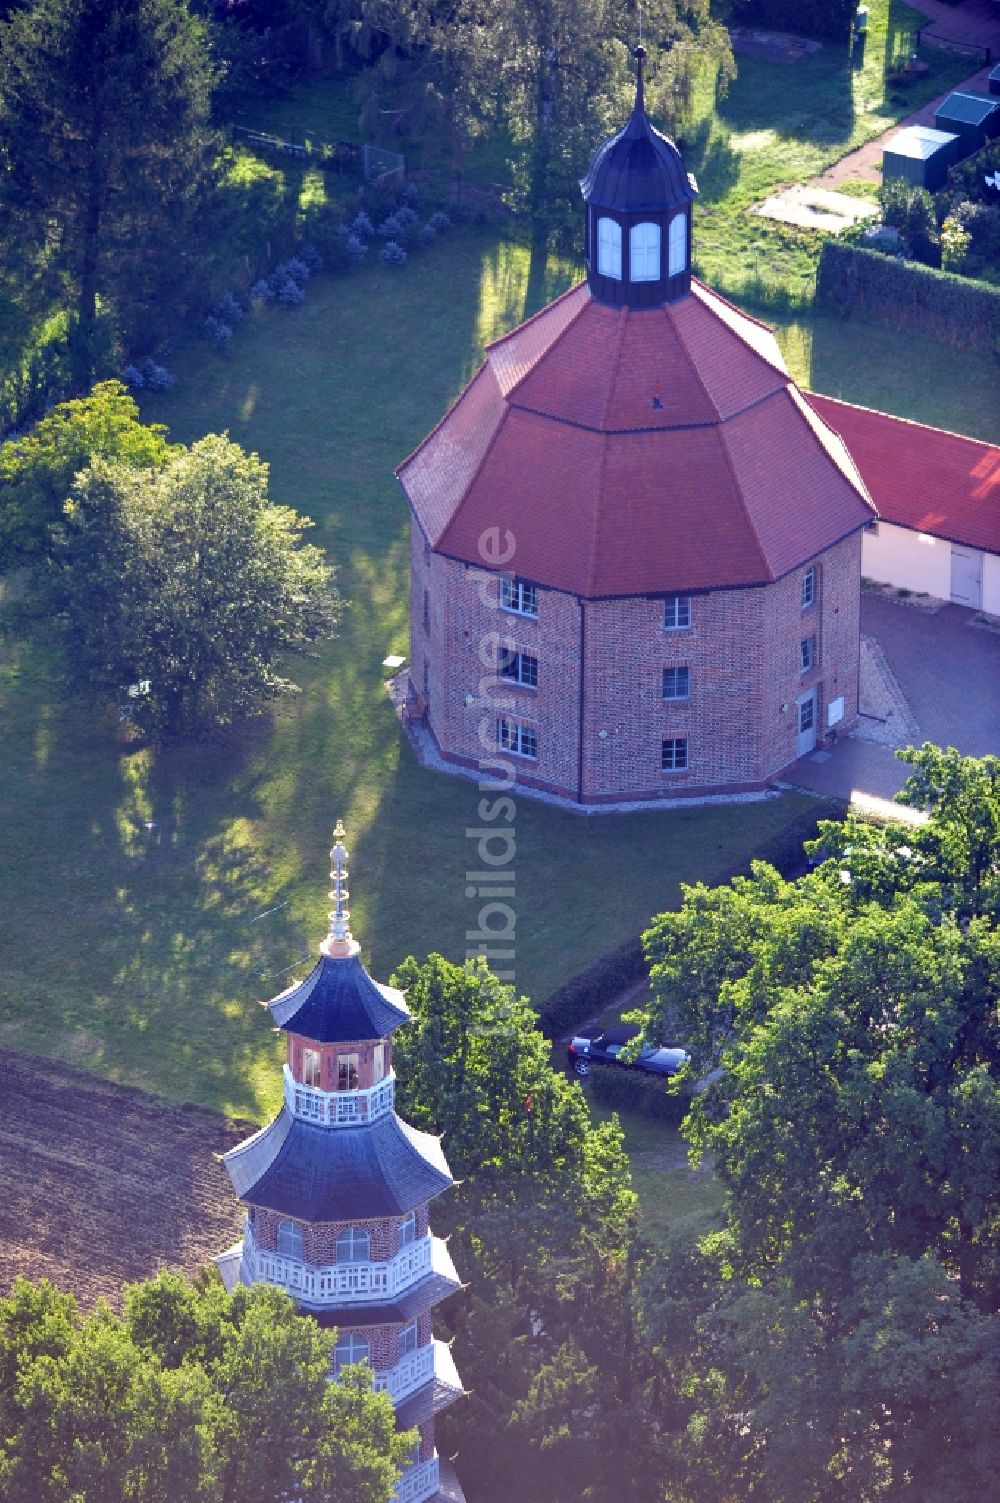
(312, 1175)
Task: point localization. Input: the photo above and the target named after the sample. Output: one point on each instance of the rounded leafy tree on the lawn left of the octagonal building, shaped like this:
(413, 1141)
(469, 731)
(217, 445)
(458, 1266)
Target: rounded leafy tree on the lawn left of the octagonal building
(189, 582)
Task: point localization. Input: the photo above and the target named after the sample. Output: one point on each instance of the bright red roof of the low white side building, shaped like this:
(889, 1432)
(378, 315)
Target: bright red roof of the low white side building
(923, 479)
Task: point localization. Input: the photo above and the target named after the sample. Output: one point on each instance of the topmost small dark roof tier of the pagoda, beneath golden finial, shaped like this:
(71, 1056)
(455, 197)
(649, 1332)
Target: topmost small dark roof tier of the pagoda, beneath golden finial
(339, 1003)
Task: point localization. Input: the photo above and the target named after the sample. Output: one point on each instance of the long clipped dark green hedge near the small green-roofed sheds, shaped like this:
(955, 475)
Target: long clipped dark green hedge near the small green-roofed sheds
(906, 295)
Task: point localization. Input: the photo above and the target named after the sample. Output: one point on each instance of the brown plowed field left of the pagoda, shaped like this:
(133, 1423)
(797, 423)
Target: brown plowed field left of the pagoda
(102, 1185)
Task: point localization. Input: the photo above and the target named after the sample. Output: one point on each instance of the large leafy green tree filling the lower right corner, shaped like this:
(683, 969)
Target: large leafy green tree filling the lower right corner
(841, 1334)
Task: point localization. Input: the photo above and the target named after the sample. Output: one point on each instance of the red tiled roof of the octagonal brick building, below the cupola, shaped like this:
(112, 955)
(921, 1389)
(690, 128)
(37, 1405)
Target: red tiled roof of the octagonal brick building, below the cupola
(637, 452)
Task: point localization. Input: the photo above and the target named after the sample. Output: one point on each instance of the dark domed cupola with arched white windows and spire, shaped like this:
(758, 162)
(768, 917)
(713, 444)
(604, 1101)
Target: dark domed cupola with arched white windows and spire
(638, 198)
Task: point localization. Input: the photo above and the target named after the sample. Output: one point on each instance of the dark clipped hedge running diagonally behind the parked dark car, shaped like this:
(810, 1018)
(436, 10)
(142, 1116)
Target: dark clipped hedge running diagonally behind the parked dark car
(601, 984)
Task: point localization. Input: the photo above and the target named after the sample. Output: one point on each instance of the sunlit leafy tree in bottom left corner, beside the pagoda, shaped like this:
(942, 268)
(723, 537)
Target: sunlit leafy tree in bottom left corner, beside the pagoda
(192, 1396)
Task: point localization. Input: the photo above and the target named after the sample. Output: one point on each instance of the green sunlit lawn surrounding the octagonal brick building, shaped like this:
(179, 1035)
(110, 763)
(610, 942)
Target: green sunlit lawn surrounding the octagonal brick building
(133, 879)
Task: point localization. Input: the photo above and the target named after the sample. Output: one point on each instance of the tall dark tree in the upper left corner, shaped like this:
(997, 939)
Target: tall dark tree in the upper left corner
(105, 151)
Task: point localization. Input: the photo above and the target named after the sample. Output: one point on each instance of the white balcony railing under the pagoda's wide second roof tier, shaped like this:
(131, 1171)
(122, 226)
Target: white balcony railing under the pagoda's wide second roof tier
(338, 1283)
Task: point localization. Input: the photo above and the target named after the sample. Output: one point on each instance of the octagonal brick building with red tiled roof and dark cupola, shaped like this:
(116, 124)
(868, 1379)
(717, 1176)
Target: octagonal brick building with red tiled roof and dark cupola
(635, 546)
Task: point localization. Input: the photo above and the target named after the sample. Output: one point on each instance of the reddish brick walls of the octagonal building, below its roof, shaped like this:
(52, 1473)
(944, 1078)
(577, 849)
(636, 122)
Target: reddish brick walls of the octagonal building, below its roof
(599, 710)
